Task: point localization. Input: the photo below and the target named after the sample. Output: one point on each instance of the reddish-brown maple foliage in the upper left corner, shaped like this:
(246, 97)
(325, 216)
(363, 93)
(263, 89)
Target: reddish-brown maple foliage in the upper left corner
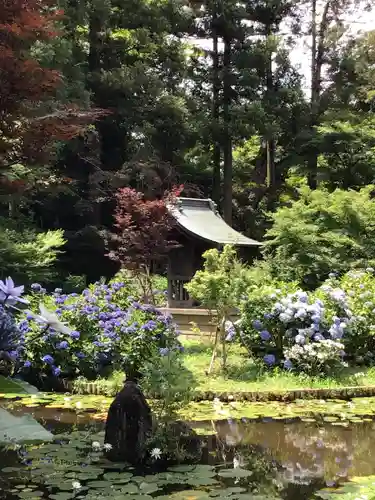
(27, 126)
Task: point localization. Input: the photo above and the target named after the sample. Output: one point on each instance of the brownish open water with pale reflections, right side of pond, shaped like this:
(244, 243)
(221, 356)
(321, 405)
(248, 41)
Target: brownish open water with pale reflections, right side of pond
(308, 450)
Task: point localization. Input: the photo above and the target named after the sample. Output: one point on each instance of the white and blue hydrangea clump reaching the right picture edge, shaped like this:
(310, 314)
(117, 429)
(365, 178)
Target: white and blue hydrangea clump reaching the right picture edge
(313, 331)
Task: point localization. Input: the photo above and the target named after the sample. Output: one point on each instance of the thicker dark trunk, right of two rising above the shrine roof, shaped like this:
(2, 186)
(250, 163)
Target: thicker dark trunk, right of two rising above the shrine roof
(228, 160)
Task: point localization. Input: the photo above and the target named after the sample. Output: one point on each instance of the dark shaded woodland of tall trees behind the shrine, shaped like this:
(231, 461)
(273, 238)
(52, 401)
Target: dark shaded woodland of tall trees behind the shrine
(125, 97)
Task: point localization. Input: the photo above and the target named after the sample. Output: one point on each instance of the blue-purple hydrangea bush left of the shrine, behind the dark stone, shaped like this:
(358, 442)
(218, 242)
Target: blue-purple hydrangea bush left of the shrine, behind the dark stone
(93, 333)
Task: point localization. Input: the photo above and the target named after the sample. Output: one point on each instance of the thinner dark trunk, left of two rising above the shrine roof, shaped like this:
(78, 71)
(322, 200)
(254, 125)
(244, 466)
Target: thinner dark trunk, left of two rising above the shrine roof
(216, 156)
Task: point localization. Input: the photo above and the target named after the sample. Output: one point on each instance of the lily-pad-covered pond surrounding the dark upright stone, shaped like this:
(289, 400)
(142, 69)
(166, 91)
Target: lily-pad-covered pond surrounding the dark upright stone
(261, 459)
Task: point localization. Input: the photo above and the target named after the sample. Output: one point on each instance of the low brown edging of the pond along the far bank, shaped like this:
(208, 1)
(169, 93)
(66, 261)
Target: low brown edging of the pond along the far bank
(344, 393)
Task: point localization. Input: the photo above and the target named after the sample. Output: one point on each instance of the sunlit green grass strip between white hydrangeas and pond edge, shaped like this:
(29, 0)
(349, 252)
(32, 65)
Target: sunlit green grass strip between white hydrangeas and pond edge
(245, 375)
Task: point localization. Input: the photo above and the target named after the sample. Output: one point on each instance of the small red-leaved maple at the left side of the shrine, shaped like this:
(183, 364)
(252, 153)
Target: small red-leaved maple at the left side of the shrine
(142, 234)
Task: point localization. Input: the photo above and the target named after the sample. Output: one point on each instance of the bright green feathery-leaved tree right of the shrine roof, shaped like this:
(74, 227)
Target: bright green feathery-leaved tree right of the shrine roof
(320, 232)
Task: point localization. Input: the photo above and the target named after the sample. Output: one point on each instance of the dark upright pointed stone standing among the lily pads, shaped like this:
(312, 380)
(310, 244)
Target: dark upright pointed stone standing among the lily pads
(129, 424)
